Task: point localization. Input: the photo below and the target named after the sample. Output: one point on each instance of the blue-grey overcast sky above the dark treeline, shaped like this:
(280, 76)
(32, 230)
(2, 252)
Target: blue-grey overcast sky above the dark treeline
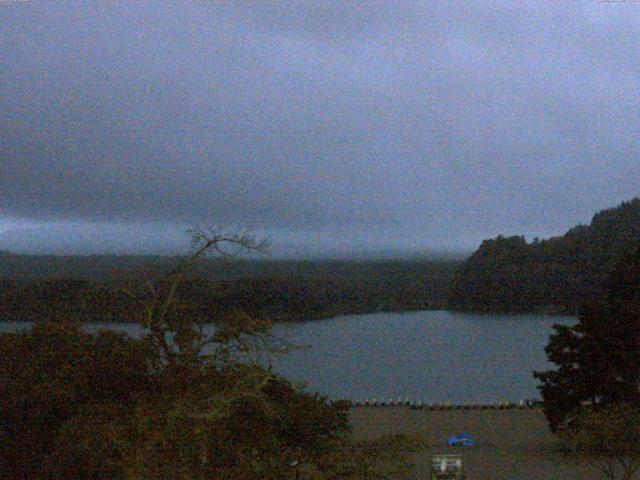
(328, 126)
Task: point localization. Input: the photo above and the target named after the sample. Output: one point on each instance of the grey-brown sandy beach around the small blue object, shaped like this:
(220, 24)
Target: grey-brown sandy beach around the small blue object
(510, 444)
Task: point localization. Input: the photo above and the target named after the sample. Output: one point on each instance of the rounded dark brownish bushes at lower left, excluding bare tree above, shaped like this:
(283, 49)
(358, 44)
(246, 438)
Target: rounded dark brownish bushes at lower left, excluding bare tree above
(77, 405)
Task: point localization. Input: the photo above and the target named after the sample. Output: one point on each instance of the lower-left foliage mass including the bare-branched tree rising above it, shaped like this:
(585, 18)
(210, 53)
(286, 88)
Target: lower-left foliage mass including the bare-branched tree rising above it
(175, 403)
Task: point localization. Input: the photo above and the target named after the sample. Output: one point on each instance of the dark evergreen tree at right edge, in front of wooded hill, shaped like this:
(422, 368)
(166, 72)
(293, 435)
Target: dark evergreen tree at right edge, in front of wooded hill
(598, 359)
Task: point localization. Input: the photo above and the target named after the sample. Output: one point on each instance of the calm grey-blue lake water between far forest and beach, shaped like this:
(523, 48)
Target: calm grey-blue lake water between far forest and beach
(432, 356)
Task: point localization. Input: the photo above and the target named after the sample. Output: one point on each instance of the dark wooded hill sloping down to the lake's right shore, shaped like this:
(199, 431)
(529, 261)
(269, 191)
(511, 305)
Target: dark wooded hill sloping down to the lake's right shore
(507, 274)
